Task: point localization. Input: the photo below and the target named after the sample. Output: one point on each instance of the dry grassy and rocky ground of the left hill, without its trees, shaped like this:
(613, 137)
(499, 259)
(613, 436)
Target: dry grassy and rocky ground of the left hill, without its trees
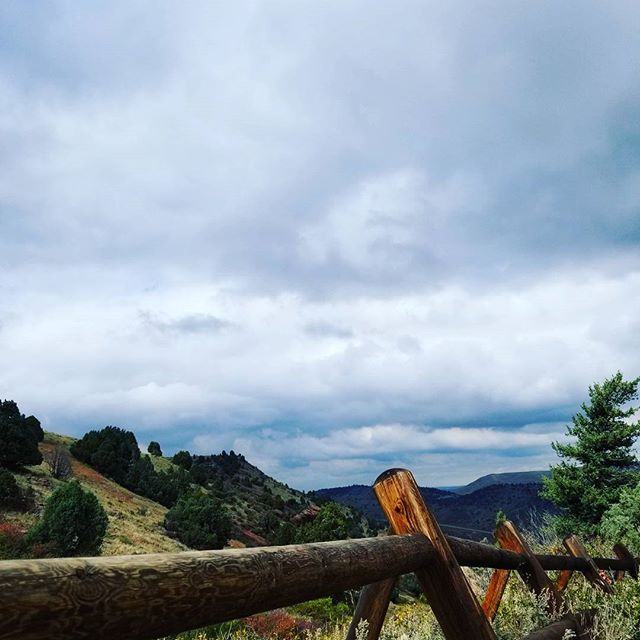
(259, 506)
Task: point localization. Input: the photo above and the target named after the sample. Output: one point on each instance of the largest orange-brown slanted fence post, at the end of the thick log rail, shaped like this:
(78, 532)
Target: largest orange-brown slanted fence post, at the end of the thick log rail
(452, 600)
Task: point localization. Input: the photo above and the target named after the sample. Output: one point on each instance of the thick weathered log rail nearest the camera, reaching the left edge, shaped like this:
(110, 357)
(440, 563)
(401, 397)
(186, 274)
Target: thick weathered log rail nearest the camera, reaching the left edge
(153, 595)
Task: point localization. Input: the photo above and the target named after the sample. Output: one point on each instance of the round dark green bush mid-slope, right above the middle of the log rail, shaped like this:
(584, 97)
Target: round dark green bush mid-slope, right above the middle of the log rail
(200, 521)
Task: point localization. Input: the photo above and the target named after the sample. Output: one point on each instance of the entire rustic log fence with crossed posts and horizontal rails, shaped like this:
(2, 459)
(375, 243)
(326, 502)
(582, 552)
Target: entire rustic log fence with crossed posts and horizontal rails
(149, 596)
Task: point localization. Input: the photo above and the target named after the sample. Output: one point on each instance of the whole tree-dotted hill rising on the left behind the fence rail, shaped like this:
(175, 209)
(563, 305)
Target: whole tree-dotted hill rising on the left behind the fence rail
(214, 500)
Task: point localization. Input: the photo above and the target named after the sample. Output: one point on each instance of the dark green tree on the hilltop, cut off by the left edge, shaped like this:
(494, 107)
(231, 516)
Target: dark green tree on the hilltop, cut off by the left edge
(19, 437)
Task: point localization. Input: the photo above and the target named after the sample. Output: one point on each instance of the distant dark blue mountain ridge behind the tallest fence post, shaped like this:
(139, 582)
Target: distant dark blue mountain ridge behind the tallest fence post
(470, 515)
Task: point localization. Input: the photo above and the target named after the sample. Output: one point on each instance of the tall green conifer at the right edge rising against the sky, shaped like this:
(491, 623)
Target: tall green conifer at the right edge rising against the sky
(602, 451)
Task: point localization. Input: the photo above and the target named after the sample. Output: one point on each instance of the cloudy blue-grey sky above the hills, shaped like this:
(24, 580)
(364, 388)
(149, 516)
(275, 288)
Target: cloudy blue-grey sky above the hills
(333, 236)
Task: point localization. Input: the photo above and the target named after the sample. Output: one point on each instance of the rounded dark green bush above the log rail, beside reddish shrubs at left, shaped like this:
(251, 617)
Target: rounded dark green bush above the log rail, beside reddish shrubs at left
(73, 521)
